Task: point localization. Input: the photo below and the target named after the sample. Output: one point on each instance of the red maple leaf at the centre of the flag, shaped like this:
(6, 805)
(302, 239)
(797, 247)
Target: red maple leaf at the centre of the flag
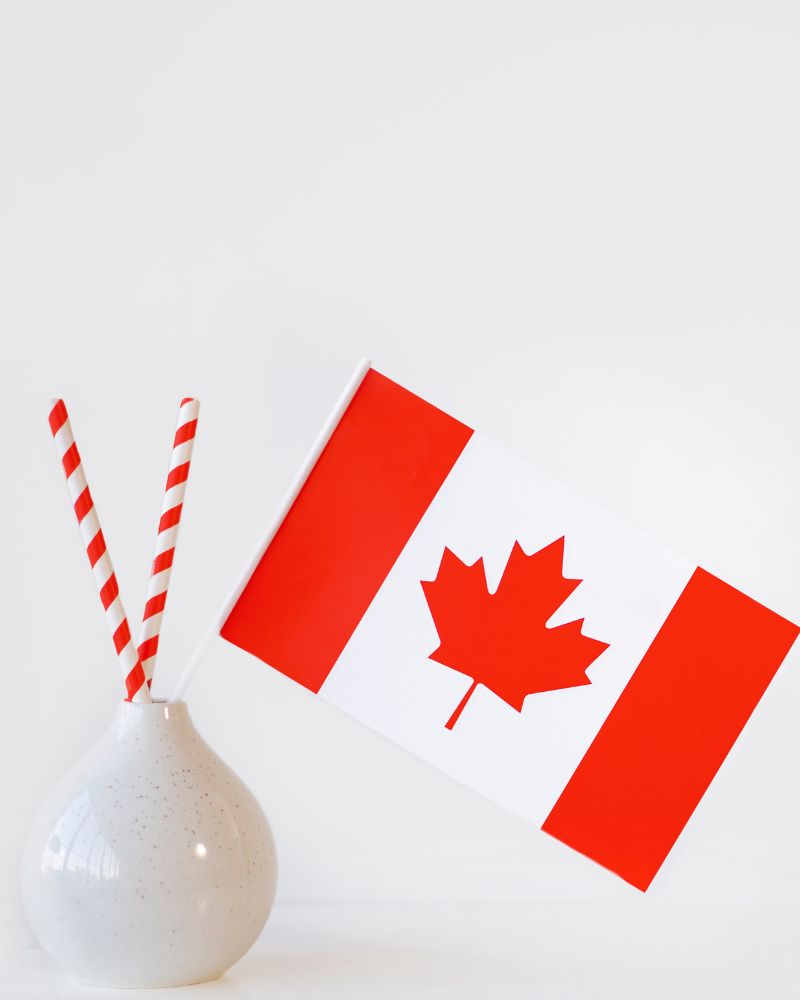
(502, 640)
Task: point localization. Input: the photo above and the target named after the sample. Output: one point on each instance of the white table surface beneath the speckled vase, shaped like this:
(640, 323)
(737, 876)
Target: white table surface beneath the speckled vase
(558, 951)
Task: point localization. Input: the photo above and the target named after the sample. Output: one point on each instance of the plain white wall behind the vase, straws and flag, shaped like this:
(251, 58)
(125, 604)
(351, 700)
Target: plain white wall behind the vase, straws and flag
(573, 225)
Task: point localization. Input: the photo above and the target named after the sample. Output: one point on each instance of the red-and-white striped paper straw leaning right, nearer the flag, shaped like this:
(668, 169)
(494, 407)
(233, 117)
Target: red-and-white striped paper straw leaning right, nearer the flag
(167, 537)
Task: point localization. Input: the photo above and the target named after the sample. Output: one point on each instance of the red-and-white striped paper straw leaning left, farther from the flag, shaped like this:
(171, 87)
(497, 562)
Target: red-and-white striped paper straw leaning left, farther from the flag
(85, 511)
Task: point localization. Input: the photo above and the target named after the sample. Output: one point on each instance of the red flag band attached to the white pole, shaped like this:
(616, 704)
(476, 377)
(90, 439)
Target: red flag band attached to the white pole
(379, 472)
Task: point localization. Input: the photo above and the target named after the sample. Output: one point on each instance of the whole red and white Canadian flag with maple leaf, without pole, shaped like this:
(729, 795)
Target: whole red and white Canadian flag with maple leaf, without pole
(507, 630)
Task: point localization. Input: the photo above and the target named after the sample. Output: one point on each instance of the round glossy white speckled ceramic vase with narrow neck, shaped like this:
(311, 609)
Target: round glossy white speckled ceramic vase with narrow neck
(150, 864)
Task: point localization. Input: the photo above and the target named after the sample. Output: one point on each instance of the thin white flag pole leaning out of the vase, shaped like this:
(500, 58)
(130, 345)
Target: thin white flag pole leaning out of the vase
(291, 495)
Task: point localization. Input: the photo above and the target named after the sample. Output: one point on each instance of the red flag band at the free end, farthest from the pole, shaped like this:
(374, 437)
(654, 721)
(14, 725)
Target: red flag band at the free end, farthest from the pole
(671, 729)
